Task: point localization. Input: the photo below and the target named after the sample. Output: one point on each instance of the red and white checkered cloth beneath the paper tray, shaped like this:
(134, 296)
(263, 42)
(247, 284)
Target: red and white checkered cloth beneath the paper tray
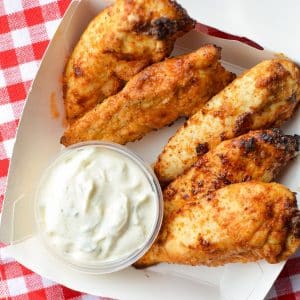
(26, 26)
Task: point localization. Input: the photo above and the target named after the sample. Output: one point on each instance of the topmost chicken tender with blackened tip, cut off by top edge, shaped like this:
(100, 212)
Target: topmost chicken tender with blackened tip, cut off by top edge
(122, 40)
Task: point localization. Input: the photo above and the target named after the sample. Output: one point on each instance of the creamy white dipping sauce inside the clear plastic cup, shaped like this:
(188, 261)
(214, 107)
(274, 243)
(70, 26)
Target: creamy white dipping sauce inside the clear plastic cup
(96, 205)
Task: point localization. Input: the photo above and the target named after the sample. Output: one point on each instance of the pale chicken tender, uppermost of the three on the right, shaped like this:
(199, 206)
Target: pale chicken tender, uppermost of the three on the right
(263, 97)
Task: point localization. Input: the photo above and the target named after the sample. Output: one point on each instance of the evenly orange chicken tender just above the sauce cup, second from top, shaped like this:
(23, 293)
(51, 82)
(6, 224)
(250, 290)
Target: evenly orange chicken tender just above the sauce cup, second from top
(154, 98)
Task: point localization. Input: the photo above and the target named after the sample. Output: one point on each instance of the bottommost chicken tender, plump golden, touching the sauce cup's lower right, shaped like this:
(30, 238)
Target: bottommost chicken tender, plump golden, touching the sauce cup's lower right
(242, 222)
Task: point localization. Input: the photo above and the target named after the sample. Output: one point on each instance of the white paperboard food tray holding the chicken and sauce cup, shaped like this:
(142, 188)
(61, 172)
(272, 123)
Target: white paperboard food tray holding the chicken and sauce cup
(38, 142)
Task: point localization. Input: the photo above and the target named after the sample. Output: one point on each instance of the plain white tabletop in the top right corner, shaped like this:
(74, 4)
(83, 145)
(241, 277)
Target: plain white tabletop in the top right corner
(275, 25)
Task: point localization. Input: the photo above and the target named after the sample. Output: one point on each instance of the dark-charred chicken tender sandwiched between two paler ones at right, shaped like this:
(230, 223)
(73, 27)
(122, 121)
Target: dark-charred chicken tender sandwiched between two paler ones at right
(257, 155)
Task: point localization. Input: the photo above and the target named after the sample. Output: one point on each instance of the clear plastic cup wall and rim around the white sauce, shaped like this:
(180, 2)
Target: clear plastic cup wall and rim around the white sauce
(111, 265)
